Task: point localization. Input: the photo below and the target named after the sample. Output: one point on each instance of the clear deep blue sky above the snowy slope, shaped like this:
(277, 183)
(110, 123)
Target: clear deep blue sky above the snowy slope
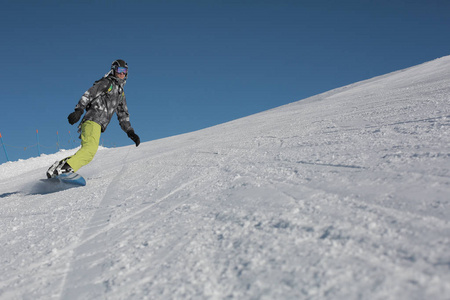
(194, 64)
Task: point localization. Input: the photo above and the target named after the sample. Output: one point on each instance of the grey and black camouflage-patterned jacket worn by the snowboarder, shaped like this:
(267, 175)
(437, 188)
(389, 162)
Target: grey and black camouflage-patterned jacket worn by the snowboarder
(102, 100)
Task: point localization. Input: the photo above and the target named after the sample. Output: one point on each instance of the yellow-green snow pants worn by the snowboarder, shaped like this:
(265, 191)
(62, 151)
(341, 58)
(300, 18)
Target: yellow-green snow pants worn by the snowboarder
(90, 139)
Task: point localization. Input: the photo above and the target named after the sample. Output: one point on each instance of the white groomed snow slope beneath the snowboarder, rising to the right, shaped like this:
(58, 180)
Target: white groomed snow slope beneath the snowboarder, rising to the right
(344, 195)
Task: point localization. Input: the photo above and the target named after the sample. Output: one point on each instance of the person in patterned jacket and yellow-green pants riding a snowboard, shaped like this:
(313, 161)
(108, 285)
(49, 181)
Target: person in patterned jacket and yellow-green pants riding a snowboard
(101, 101)
